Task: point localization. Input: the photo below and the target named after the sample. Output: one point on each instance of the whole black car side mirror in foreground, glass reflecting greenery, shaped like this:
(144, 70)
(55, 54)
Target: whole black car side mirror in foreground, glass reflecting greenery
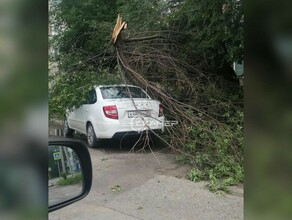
(69, 172)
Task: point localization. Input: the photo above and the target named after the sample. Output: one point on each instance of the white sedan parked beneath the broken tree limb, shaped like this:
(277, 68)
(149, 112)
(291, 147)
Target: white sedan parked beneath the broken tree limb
(115, 111)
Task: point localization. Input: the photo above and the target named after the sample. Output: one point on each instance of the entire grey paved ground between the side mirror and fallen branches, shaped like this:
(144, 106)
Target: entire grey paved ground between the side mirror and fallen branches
(147, 185)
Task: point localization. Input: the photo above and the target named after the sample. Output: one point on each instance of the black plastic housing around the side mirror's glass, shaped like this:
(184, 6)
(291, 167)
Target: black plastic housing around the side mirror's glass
(85, 161)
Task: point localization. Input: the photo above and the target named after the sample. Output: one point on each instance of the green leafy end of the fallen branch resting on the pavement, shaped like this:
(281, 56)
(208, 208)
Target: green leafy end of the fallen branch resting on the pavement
(221, 159)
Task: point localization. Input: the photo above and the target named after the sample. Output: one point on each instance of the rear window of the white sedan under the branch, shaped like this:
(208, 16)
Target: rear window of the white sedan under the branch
(117, 92)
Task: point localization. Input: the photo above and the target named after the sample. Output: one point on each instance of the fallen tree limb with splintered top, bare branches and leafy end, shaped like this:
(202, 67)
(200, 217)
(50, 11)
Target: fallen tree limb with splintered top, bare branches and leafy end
(210, 121)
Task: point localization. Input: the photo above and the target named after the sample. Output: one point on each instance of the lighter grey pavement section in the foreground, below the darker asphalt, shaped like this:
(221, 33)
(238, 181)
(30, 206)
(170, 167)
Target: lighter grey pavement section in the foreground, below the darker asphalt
(163, 197)
